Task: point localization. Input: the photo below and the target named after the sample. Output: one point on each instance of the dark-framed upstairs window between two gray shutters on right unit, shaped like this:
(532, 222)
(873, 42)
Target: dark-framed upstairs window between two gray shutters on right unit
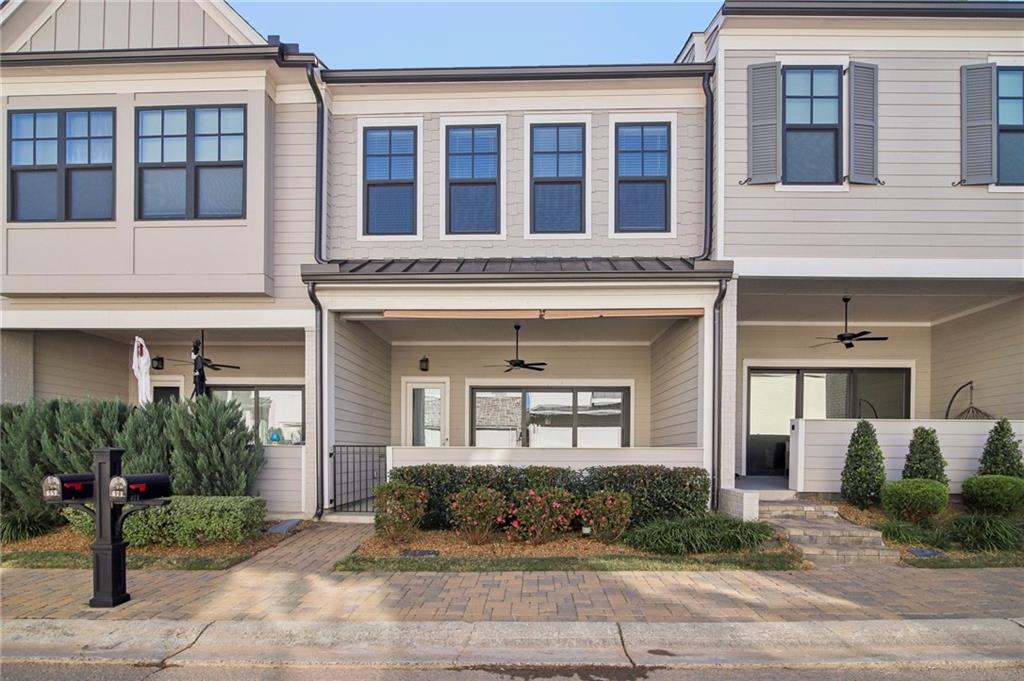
(813, 151)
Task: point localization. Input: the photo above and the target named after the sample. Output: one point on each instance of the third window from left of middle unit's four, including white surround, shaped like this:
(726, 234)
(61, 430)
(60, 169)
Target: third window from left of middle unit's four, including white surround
(543, 154)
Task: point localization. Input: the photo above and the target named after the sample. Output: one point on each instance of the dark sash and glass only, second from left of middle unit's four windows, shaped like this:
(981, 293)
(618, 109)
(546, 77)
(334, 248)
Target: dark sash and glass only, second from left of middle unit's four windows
(473, 180)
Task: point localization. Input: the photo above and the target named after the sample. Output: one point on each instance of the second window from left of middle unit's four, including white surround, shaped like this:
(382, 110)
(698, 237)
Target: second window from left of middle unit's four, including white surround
(474, 195)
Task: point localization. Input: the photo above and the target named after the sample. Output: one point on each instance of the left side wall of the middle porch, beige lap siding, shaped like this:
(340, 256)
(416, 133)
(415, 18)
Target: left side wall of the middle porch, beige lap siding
(363, 374)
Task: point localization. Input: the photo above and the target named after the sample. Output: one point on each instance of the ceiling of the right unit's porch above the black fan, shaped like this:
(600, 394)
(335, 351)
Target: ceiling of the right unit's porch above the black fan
(874, 301)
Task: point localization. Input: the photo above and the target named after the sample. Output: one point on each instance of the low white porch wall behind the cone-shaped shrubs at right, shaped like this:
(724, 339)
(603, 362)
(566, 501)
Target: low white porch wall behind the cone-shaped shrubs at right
(818, 449)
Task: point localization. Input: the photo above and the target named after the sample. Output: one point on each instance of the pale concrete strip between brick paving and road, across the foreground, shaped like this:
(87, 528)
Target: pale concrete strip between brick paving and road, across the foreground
(165, 644)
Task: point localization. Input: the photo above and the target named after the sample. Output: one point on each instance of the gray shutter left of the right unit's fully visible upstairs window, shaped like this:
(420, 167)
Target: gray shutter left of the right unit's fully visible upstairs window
(764, 123)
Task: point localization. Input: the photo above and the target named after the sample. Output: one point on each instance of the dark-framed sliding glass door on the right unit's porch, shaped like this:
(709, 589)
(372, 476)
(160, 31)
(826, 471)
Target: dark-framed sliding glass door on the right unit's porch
(778, 396)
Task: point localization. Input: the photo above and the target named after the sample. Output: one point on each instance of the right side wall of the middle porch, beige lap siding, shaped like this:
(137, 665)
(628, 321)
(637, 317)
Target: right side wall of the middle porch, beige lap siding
(675, 388)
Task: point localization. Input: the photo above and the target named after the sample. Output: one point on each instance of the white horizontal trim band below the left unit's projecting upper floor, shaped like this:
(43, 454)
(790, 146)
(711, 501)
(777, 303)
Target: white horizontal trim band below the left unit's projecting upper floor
(157, 319)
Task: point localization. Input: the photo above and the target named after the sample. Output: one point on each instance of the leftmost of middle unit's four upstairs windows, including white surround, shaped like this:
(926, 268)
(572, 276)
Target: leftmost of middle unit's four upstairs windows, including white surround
(390, 179)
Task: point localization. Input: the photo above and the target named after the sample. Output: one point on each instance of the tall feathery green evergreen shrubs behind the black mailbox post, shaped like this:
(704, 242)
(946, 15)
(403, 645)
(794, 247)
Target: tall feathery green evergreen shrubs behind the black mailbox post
(204, 445)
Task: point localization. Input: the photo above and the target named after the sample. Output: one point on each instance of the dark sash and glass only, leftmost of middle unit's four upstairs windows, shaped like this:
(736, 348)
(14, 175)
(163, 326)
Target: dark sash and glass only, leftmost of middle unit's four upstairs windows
(390, 181)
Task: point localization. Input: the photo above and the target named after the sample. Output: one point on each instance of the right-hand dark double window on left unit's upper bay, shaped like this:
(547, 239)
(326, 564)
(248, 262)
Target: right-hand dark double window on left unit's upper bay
(192, 162)
